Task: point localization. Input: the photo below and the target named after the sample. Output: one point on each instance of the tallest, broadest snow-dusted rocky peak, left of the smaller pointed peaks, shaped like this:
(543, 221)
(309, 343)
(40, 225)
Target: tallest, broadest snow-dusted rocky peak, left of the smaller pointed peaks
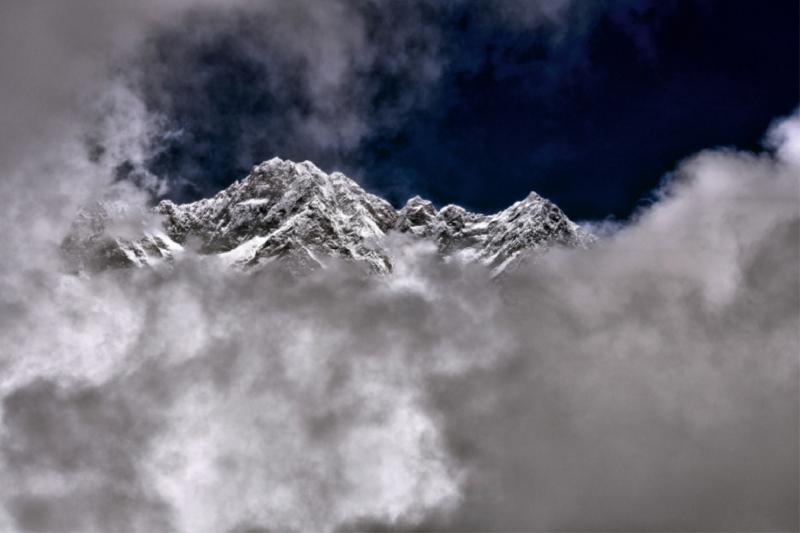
(288, 211)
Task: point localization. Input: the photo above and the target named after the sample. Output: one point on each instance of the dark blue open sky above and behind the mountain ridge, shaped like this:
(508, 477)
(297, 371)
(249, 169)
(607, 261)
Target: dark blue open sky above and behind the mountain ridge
(589, 113)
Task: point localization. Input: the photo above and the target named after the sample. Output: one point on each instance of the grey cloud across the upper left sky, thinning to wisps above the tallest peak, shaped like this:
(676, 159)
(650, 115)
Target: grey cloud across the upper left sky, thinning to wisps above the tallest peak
(312, 79)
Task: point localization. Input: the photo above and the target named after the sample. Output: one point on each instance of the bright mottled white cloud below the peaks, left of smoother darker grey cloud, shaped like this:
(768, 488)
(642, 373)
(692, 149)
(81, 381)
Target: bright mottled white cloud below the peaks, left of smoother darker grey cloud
(211, 400)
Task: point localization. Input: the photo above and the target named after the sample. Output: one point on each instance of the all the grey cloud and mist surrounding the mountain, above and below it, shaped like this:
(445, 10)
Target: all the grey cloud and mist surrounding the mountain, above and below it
(649, 383)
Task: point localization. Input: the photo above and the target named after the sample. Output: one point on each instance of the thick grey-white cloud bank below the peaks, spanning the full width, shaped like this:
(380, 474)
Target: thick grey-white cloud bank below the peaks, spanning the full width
(650, 383)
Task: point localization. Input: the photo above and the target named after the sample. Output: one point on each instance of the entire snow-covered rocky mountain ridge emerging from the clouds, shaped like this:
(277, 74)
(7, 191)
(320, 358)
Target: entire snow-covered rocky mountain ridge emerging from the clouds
(295, 213)
